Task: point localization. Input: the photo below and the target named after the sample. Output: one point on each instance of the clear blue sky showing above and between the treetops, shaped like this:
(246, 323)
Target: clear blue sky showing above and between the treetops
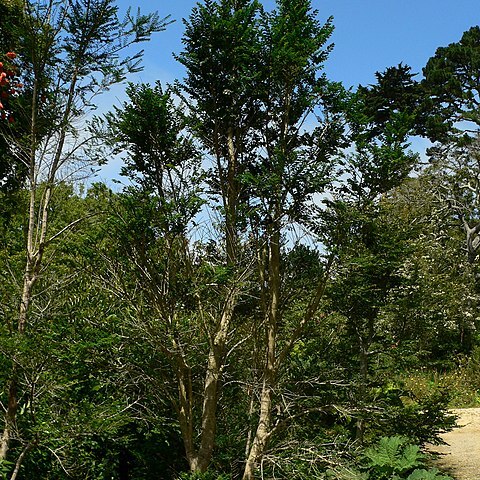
(369, 36)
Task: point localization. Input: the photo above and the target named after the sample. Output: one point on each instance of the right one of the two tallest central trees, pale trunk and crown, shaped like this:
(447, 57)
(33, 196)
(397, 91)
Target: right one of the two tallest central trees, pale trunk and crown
(293, 166)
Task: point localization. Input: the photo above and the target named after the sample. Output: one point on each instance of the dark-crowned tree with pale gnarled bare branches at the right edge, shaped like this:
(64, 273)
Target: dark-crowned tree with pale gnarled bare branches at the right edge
(451, 81)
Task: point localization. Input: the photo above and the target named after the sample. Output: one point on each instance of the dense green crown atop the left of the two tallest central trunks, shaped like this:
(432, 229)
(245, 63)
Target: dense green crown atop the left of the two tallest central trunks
(222, 60)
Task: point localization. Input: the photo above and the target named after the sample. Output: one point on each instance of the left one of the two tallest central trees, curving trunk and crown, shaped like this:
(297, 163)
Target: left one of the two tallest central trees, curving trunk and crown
(222, 59)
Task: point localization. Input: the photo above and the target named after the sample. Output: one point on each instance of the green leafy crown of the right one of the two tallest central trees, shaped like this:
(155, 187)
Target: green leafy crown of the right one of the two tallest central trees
(297, 164)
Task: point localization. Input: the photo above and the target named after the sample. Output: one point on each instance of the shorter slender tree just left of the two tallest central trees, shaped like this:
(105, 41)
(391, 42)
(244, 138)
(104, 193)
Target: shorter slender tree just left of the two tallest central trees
(150, 228)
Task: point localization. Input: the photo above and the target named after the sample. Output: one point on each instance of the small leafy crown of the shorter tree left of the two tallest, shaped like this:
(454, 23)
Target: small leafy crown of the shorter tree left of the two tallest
(162, 160)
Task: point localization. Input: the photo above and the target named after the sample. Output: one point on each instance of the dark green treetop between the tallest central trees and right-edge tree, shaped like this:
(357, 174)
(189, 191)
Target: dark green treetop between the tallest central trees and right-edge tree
(382, 117)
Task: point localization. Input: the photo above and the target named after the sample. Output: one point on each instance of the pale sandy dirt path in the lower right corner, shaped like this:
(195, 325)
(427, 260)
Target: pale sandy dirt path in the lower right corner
(461, 457)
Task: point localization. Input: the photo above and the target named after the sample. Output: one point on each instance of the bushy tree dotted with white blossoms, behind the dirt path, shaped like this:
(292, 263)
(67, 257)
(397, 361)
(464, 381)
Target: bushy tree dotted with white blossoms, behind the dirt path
(432, 312)
